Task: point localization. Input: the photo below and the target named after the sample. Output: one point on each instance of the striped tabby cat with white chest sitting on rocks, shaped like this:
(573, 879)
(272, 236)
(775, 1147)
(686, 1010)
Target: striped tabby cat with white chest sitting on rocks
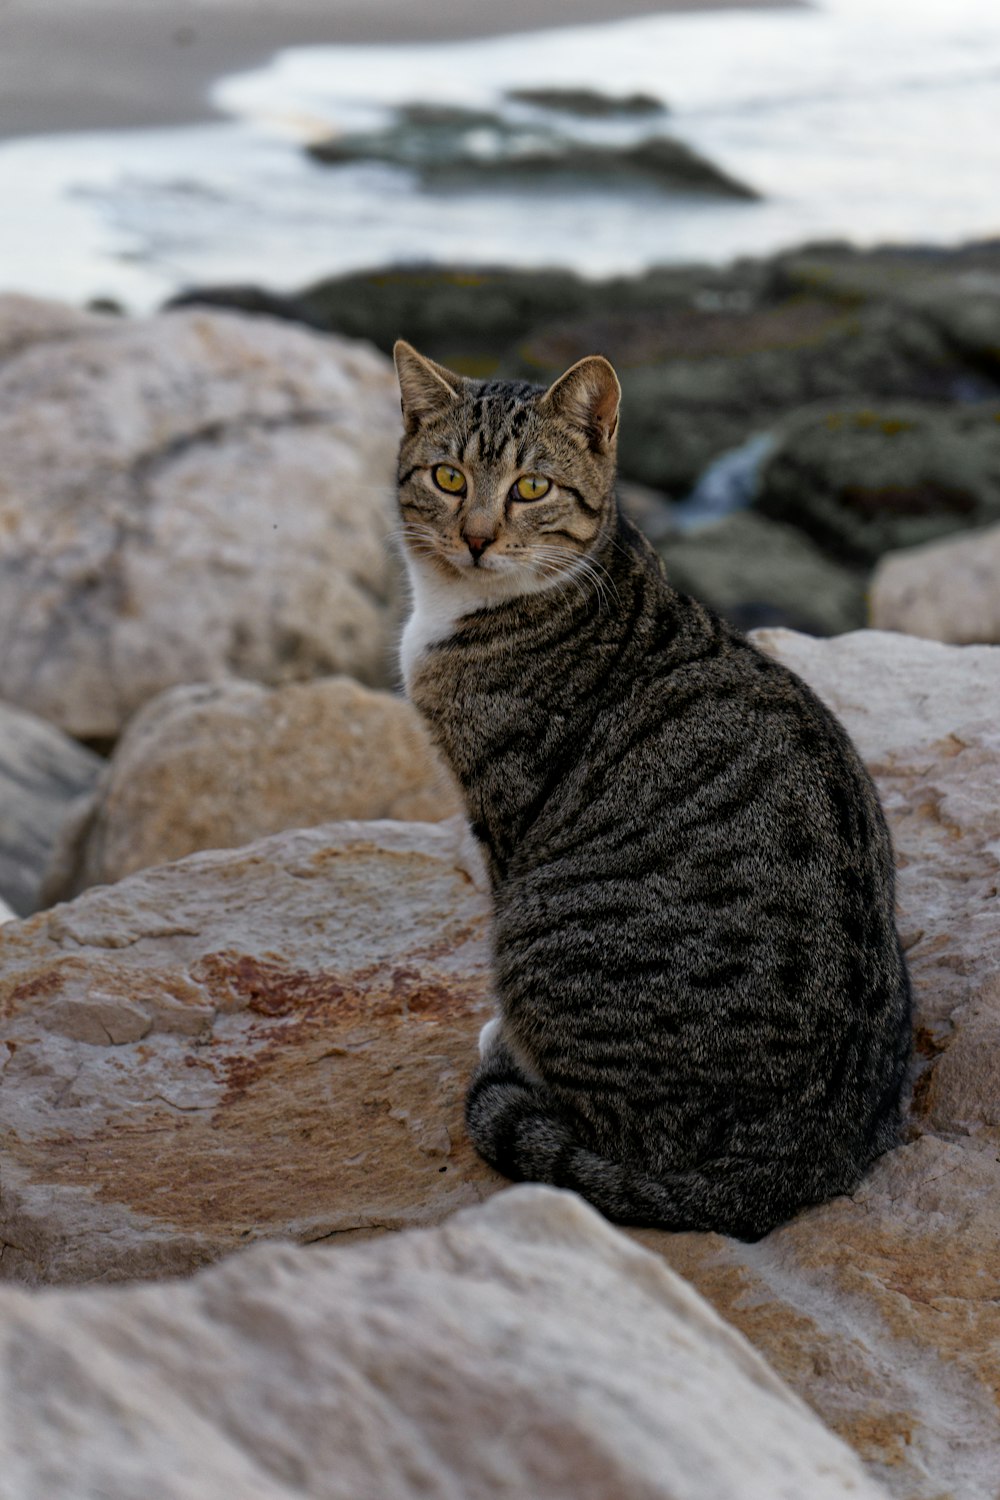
(704, 1006)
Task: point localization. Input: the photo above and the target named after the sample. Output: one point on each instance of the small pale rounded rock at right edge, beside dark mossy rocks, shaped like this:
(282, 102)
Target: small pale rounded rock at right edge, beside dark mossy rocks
(947, 590)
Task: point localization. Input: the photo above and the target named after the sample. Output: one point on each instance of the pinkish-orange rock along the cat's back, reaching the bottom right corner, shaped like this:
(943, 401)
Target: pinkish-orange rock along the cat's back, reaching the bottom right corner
(884, 1310)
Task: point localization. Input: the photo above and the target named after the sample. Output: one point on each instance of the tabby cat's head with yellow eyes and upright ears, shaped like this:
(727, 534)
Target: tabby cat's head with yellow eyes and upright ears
(501, 484)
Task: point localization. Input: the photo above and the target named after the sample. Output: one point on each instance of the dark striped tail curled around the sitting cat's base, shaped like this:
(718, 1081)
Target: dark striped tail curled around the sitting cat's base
(516, 1127)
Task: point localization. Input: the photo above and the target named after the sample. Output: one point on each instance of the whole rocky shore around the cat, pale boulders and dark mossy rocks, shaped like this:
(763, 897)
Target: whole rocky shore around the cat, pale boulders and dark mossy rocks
(245, 935)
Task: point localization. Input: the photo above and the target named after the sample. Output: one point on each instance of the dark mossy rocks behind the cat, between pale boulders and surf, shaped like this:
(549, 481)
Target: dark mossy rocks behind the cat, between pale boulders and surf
(846, 403)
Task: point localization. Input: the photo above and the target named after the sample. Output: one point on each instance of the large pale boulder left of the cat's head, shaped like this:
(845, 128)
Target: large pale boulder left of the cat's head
(191, 497)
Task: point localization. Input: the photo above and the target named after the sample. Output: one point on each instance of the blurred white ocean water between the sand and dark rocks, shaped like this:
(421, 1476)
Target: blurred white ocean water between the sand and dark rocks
(872, 121)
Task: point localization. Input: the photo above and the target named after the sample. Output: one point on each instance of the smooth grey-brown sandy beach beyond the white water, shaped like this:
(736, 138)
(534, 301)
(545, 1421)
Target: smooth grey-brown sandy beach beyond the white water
(116, 64)
